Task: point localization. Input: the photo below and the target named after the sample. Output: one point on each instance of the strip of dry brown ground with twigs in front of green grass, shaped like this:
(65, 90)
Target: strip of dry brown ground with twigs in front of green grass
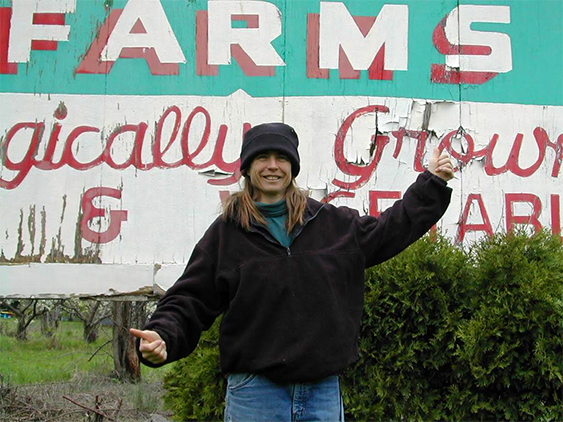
(85, 399)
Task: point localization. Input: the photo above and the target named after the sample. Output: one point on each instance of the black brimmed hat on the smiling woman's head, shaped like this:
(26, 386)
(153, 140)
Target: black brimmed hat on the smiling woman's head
(270, 136)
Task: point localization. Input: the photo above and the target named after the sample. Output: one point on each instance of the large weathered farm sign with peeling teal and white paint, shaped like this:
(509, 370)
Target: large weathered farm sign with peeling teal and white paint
(121, 121)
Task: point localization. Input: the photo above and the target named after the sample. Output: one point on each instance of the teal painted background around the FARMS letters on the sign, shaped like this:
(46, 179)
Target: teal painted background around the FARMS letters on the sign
(535, 31)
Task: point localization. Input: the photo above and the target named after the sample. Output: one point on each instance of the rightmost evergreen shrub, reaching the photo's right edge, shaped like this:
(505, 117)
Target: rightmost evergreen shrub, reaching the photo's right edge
(513, 343)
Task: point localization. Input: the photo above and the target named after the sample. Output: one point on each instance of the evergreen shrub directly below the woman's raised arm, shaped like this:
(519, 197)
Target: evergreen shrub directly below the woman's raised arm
(413, 306)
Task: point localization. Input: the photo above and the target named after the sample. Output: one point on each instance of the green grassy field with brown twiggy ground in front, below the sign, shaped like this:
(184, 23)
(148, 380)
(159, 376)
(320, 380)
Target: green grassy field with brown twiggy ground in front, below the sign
(50, 378)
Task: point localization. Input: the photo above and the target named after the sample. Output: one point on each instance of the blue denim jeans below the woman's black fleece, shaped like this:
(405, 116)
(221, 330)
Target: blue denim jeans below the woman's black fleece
(253, 397)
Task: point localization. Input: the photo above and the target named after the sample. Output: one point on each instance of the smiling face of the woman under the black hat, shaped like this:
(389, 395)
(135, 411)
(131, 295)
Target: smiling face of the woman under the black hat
(270, 174)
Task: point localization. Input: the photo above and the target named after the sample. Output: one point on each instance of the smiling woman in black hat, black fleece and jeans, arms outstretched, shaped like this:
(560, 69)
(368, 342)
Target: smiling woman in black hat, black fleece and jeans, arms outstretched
(287, 272)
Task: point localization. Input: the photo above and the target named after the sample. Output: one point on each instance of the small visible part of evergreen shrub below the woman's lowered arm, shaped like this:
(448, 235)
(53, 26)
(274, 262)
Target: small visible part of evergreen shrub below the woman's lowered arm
(195, 387)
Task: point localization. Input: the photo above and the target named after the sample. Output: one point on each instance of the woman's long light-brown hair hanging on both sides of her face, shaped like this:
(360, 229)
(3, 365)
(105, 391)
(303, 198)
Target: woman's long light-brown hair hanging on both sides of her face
(241, 206)
